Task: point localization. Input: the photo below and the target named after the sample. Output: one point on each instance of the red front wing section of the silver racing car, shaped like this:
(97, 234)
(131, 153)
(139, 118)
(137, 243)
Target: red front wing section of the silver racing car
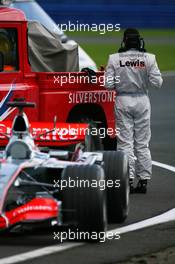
(36, 210)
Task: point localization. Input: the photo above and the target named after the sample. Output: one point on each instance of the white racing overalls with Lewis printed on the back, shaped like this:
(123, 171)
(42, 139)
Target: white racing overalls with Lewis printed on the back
(137, 72)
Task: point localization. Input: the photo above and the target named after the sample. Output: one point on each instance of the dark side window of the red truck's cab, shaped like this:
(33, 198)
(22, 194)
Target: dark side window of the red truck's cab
(8, 47)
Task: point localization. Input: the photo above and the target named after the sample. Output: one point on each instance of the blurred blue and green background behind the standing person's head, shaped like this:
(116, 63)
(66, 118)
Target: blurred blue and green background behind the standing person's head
(155, 20)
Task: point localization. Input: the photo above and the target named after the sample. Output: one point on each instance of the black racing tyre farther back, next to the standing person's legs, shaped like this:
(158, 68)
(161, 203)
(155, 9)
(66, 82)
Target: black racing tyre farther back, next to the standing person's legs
(117, 172)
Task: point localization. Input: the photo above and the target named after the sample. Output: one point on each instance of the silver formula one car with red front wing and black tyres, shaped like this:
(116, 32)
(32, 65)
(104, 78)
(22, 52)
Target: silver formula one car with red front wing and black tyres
(79, 189)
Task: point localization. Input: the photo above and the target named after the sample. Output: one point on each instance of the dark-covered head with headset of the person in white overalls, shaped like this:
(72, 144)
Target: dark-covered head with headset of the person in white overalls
(132, 40)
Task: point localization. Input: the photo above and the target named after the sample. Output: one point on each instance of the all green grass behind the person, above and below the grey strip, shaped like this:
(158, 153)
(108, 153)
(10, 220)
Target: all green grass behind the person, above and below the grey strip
(100, 51)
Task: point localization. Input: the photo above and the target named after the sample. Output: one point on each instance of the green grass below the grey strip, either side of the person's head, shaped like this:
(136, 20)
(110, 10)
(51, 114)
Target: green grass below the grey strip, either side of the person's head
(164, 54)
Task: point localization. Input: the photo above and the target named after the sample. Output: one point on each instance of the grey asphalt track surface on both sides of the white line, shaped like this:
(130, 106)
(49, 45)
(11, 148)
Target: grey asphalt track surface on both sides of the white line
(159, 199)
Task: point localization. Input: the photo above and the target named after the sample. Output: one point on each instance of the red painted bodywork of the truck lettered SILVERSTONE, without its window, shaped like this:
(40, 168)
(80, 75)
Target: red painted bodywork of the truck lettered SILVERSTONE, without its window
(51, 98)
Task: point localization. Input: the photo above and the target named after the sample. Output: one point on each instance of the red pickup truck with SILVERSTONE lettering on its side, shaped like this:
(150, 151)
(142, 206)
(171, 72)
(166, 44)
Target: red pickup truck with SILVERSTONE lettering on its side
(70, 100)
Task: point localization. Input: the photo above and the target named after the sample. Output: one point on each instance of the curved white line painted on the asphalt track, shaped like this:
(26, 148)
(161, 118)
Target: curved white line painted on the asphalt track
(163, 218)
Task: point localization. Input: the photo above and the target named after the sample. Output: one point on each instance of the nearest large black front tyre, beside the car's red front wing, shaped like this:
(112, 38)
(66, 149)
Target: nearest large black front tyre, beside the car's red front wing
(84, 205)
